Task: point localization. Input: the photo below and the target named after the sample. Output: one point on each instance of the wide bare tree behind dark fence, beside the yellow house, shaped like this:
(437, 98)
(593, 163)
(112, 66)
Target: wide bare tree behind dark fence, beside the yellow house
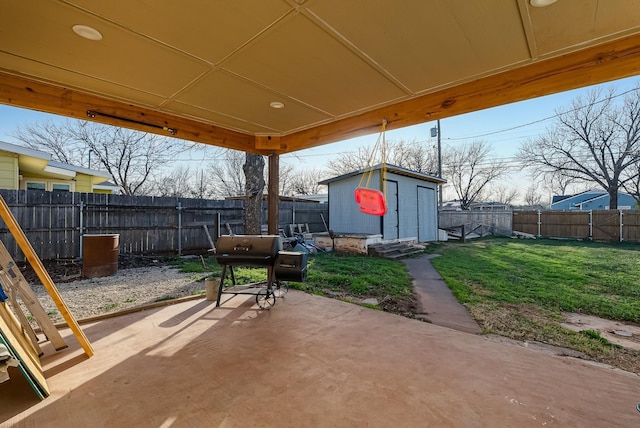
(131, 157)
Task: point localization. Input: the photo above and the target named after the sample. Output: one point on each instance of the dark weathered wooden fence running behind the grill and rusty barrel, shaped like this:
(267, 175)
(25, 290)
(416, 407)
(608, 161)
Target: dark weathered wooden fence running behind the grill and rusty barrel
(54, 222)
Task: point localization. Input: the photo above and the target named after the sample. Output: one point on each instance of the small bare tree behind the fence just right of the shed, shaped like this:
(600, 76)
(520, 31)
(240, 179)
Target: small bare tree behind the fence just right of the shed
(470, 169)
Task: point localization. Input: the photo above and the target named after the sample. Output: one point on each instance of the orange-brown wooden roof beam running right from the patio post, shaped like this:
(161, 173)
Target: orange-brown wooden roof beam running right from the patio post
(598, 64)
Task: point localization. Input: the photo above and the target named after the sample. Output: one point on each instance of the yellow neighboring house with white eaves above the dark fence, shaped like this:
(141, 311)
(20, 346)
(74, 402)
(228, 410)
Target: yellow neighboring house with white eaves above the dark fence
(25, 168)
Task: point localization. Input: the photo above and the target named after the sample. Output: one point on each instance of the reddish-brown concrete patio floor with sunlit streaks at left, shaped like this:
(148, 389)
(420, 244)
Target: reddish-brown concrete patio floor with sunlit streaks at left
(310, 361)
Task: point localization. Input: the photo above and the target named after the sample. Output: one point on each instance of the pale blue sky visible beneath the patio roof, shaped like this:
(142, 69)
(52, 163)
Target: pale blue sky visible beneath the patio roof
(504, 128)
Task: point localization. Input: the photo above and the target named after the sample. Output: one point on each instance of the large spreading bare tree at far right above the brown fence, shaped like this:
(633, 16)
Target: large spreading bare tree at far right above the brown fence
(595, 140)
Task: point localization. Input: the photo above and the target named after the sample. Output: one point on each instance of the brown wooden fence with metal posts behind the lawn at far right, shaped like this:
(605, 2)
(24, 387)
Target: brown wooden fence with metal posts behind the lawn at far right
(600, 225)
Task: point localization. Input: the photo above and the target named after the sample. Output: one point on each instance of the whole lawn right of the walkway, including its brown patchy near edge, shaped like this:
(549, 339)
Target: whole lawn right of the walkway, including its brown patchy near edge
(519, 289)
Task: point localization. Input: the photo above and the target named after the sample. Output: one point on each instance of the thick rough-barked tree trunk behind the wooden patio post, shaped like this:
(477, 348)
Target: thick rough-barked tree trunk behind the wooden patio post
(254, 186)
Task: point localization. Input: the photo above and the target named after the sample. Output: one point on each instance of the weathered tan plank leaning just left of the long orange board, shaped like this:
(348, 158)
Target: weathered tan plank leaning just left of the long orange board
(30, 299)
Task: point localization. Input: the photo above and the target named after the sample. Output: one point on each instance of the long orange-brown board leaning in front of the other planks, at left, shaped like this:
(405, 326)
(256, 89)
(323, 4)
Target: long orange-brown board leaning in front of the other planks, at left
(42, 273)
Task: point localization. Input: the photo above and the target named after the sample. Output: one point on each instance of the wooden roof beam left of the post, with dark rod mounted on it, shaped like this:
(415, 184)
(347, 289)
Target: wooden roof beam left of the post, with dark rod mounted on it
(31, 94)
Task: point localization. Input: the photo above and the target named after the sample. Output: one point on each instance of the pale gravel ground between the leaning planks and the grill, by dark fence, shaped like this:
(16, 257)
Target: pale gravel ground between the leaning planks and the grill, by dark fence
(126, 289)
